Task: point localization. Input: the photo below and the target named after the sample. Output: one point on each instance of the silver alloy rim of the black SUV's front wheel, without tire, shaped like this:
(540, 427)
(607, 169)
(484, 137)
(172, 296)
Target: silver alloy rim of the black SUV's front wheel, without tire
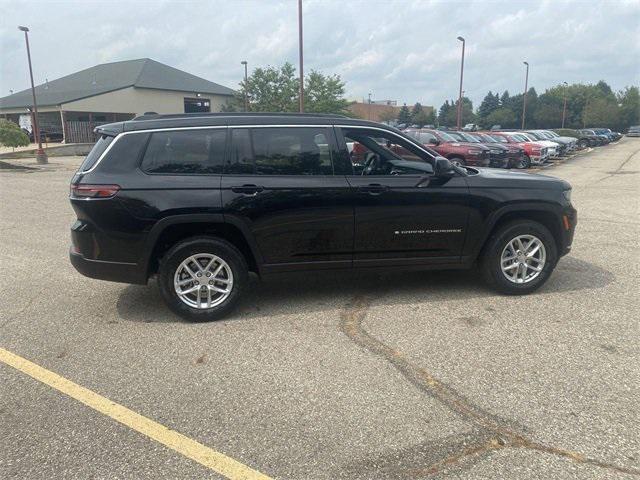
(523, 259)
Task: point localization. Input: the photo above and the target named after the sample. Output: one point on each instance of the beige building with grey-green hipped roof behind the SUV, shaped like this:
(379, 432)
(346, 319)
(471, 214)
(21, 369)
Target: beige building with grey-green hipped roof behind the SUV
(73, 105)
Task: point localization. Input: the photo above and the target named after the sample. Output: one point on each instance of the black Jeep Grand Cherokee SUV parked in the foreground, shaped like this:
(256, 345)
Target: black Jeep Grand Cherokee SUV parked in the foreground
(203, 199)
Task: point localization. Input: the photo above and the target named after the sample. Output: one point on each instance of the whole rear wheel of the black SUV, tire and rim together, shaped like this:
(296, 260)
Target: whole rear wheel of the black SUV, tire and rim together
(228, 266)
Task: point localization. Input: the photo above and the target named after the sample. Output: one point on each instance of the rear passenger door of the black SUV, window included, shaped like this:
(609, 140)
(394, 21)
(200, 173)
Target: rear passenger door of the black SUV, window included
(279, 185)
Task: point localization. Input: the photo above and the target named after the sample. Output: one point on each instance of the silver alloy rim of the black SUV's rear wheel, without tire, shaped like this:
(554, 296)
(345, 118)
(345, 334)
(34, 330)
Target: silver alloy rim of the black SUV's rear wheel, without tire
(203, 281)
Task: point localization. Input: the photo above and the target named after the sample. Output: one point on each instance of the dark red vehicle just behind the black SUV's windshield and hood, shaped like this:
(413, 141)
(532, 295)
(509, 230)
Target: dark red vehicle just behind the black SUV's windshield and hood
(458, 153)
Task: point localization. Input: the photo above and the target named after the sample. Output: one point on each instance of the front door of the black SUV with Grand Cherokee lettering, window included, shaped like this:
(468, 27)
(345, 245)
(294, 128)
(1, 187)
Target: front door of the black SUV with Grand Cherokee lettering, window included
(404, 215)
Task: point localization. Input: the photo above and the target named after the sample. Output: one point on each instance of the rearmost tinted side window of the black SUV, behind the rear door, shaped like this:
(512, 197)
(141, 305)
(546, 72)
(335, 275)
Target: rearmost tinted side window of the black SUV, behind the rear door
(185, 152)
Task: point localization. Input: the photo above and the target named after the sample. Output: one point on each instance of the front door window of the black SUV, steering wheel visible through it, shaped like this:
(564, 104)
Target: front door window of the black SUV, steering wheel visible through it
(378, 153)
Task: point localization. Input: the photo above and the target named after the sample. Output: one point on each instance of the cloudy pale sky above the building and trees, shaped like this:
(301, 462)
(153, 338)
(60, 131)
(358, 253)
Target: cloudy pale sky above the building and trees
(404, 50)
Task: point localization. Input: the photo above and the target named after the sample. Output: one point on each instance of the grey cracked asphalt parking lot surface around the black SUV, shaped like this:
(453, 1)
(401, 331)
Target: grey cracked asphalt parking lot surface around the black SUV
(408, 375)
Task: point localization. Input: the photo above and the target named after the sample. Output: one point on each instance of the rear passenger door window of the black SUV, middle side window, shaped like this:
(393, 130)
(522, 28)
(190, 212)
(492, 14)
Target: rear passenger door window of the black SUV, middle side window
(280, 151)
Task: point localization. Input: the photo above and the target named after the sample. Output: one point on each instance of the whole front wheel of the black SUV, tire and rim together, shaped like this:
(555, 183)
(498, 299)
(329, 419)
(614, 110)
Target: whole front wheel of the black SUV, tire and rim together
(498, 247)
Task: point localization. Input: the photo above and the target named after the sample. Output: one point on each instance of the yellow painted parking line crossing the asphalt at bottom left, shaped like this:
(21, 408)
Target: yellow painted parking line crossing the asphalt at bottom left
(188, 447)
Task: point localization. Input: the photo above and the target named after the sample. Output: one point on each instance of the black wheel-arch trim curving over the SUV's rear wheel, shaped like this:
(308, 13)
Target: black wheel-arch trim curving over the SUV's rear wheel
(218, 218)
